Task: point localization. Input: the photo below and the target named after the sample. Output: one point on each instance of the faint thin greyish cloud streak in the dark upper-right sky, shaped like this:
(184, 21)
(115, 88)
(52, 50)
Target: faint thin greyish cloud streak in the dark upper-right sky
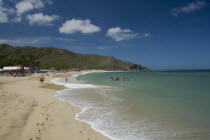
(188, 8)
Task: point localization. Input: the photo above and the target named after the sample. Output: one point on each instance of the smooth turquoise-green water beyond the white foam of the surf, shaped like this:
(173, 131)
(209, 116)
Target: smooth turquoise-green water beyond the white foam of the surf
(179, 100)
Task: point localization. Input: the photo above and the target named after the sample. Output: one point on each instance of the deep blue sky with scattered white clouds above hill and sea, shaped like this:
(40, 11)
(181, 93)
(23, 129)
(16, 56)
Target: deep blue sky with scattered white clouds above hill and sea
(159, 34)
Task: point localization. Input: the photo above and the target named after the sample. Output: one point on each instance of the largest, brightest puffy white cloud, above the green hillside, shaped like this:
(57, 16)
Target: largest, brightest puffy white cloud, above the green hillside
(83, 26)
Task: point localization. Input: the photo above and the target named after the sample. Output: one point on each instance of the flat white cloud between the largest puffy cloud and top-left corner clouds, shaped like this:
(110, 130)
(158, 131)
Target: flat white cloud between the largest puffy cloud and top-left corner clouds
(40, 19)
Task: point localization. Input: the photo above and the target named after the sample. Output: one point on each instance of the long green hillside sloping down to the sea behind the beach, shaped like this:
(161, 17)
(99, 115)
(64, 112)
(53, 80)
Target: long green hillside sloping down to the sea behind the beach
(49, 57)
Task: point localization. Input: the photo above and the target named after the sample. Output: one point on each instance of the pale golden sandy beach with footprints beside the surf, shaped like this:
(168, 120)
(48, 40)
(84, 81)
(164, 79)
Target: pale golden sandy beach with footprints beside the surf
(29, 111)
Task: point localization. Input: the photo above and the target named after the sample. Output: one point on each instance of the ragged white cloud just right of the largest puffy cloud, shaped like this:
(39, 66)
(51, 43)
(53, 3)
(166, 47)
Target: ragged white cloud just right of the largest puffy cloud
(119, 34)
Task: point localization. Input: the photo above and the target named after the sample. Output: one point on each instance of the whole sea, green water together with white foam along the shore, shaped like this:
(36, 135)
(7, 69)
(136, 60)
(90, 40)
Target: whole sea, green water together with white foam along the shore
(142, 105)
